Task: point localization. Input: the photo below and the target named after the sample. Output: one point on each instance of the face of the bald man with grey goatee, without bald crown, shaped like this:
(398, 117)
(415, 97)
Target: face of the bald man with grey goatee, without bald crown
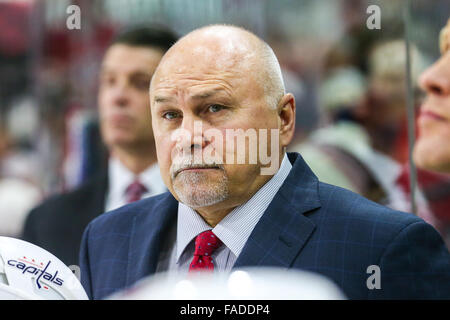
(190, 90)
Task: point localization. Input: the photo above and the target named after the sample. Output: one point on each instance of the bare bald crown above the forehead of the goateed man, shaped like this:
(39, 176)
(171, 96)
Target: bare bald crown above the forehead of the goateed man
(228, 49)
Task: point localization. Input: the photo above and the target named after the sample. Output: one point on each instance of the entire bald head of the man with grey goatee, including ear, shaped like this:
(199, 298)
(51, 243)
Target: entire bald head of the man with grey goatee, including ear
(215, 88)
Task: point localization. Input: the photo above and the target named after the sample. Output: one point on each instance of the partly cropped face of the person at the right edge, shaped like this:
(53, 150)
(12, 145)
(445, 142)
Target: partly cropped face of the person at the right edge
(432, 150)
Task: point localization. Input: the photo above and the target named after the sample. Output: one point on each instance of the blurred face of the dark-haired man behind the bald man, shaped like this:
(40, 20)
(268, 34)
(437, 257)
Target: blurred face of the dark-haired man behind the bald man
(123, 96)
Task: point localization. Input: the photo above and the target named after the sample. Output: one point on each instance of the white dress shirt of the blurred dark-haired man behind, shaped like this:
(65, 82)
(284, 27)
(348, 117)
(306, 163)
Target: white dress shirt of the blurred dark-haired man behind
(120, 178)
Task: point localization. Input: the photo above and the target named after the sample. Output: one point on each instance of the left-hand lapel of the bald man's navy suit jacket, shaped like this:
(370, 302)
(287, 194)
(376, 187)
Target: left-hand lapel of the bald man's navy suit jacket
(148, 233)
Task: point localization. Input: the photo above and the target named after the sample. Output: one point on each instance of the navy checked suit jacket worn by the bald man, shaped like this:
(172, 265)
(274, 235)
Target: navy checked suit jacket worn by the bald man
(309, 225)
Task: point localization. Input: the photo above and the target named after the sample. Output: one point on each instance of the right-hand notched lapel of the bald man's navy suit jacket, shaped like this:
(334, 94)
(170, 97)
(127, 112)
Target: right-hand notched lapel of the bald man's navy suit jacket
(283, 230)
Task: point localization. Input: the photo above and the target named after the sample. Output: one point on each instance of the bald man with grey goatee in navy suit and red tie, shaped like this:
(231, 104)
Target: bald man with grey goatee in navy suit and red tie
(221, 120)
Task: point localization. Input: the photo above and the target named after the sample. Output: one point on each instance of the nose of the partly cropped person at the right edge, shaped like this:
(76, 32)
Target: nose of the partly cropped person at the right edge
(435, 81)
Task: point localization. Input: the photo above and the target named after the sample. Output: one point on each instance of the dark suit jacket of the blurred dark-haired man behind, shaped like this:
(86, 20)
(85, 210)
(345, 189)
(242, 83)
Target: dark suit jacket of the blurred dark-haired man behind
(58, 223)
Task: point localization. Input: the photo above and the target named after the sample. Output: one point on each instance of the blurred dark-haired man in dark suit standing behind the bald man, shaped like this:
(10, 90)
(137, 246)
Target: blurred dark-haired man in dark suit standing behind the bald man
(128, 65)
